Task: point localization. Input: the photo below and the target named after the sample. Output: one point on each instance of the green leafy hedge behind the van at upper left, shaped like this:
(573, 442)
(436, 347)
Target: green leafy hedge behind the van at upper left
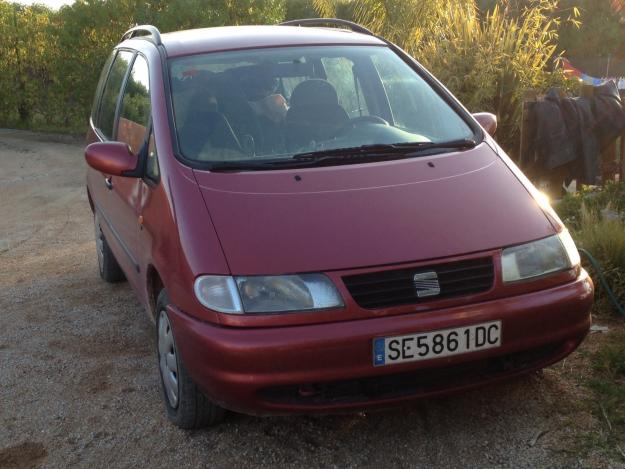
(50, 60)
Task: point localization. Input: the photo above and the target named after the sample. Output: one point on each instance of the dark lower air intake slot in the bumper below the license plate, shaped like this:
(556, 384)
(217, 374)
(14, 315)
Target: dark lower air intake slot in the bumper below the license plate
(414, 383)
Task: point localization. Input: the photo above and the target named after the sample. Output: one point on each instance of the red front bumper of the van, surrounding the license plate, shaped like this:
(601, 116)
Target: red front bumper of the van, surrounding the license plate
(328, 367)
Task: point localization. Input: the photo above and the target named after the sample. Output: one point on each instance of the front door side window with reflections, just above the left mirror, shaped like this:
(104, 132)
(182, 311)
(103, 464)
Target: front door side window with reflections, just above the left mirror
(134, 114)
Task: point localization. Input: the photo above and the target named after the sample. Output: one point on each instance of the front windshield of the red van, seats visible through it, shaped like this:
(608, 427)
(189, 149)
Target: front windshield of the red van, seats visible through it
(272, 104)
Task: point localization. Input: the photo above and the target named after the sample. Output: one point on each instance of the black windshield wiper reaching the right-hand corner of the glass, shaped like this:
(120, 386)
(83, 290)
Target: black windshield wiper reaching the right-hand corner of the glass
(381, 150)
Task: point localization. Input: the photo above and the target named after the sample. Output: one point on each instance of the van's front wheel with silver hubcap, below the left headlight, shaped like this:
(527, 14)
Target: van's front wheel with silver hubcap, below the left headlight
(187, 407)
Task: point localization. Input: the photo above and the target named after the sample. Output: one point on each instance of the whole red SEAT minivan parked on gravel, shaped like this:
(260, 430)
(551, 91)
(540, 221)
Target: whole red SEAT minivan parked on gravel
(316, 224)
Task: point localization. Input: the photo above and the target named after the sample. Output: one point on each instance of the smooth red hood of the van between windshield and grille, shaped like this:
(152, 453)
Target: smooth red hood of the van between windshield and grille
(349, 216)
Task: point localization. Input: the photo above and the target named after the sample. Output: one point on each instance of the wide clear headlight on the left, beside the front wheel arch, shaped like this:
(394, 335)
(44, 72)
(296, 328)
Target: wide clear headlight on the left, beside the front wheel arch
(266, 294)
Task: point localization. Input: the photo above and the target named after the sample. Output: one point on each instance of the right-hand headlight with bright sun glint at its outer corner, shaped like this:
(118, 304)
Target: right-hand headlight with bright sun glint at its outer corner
(540, 257)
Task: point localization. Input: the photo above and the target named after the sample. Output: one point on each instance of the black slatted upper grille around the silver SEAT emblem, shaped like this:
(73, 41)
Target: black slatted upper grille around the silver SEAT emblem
(397, 287)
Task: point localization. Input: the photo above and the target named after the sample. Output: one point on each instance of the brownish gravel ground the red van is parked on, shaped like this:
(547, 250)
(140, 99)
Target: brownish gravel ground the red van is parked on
(79, 381)
